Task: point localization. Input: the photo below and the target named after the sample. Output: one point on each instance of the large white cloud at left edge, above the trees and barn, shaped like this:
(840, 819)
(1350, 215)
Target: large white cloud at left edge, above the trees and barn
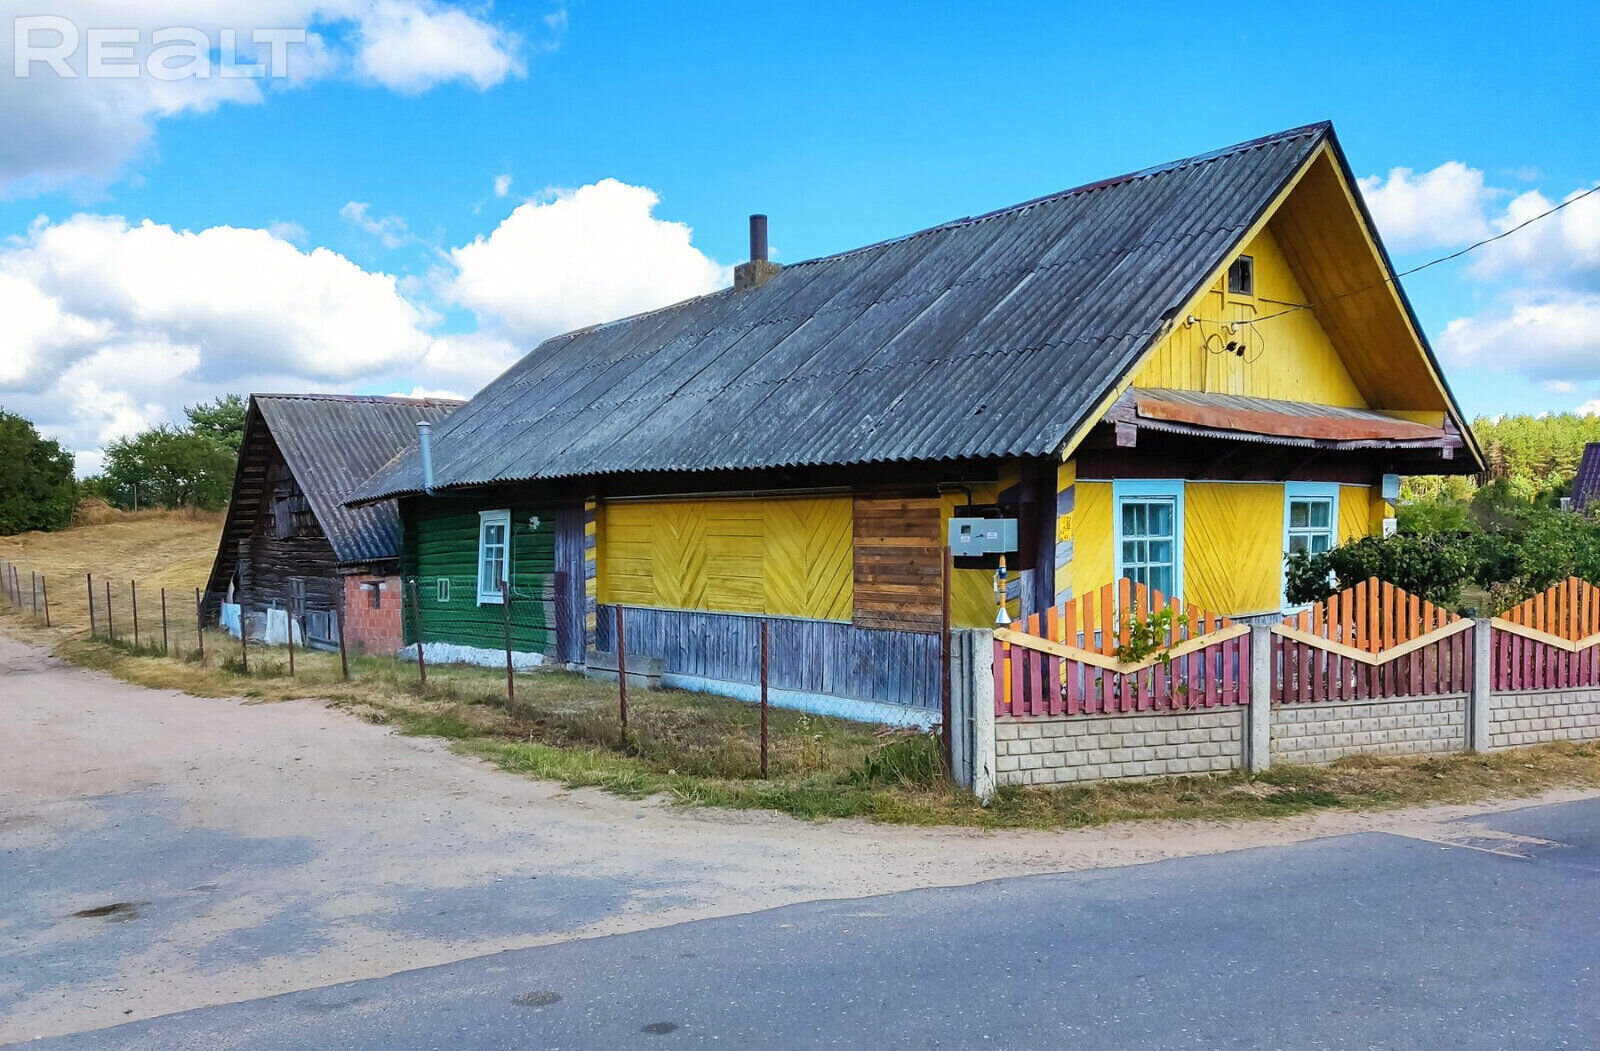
(114, 327)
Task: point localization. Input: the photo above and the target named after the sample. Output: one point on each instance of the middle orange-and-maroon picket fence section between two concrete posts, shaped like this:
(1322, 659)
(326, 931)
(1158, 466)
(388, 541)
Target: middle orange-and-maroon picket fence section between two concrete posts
(1369, 642)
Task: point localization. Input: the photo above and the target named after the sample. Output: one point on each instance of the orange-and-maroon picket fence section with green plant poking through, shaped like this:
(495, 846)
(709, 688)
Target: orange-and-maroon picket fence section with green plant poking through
(1066, 661)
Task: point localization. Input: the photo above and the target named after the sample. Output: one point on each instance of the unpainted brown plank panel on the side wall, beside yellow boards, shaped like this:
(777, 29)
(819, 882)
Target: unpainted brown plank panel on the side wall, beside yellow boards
(898, 562)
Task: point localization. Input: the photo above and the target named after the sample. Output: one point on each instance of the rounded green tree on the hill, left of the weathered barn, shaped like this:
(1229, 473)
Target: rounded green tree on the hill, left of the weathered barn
(170, 468)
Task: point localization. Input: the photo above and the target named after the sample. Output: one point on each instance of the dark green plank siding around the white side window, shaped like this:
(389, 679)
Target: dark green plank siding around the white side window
(442, 543)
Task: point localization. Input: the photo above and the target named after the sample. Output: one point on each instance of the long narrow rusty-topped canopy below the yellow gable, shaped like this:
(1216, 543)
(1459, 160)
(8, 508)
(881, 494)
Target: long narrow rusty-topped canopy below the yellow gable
(1273, 422)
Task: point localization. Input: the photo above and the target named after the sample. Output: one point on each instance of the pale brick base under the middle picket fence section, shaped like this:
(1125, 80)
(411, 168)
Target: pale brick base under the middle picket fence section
(1321, 733)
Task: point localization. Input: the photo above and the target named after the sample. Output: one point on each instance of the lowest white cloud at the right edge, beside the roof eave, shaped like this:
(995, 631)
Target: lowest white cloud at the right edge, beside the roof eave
(1550, 337)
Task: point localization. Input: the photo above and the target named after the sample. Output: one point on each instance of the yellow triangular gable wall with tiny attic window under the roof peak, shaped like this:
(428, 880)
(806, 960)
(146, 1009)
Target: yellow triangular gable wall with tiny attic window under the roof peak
(1289, 358)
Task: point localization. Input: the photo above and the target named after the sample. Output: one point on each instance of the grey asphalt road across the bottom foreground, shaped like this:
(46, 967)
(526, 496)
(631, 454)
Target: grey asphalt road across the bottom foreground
(1361, 941)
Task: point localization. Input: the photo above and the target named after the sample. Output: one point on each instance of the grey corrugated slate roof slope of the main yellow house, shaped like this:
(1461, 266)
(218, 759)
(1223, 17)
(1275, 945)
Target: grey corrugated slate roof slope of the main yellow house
(988, 337)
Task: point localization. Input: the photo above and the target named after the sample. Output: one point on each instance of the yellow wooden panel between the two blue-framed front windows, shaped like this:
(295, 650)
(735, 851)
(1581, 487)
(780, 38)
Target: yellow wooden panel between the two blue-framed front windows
(1234, 546)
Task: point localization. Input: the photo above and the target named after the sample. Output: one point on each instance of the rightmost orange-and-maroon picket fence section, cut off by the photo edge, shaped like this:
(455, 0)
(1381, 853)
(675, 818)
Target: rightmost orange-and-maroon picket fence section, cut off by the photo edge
(1550, 642)
